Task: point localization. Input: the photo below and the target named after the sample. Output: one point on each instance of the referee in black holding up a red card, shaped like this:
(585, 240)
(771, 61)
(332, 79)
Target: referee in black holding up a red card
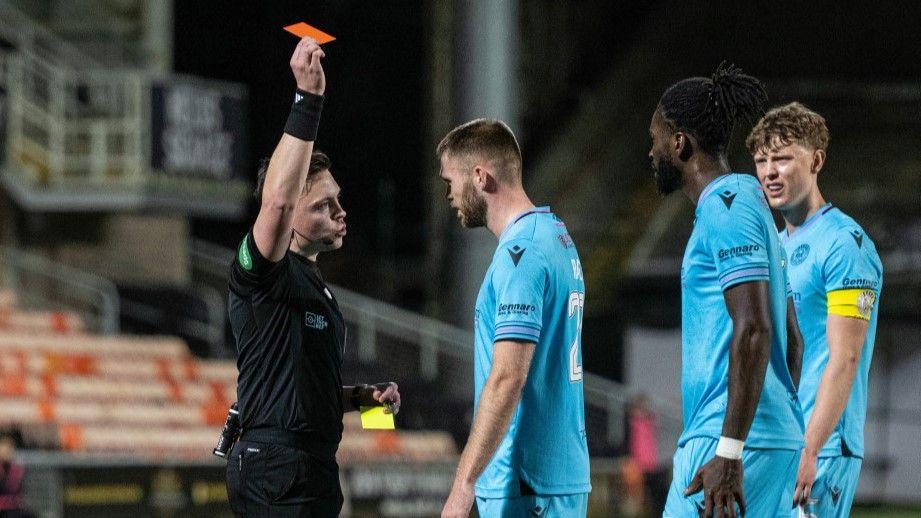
(289, 332)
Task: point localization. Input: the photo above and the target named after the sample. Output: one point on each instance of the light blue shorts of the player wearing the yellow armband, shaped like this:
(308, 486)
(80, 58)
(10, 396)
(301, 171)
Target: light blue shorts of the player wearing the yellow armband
(833, 491)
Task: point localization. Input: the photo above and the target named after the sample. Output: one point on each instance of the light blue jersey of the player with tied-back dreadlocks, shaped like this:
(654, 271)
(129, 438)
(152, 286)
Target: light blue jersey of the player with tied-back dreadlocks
(734, 241)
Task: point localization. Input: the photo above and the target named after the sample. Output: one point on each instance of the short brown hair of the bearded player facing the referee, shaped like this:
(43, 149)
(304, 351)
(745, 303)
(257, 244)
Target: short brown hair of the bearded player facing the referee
(490, 139)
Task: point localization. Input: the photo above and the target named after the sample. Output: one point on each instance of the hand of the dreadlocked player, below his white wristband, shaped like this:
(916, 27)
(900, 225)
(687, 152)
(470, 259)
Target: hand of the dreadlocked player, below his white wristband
(721, 480)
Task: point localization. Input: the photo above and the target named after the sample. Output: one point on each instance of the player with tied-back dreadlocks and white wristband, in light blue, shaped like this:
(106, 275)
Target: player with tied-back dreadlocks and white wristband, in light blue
(738, 390)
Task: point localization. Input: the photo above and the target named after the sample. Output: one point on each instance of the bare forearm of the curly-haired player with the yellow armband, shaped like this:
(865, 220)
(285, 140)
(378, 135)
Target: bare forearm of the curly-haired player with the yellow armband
(831, 399)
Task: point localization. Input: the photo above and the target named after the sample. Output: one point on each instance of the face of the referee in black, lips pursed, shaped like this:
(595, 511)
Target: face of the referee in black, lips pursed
(319, 217)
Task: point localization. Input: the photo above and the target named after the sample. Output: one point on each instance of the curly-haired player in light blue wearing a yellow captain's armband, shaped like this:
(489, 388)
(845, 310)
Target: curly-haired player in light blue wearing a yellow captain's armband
(836, 277)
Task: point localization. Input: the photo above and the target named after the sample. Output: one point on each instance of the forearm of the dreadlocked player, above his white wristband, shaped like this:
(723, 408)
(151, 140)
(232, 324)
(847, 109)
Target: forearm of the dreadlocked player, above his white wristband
(748, 359)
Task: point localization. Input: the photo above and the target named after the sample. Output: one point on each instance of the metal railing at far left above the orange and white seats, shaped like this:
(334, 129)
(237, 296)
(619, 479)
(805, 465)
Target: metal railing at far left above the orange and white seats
(40, 282)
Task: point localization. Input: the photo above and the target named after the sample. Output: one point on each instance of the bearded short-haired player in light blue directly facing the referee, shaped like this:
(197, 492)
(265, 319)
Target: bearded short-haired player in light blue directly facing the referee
(526, 454)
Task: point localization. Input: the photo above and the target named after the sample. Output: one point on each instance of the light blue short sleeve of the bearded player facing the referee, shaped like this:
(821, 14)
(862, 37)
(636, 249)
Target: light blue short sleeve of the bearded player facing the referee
(520, 280)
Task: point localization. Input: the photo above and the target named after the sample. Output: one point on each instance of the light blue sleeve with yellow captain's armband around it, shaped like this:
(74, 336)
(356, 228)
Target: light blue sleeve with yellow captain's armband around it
(852, 274)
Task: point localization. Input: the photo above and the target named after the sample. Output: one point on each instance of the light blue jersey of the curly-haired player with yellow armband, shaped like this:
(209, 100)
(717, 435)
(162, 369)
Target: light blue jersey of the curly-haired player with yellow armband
(831, 253)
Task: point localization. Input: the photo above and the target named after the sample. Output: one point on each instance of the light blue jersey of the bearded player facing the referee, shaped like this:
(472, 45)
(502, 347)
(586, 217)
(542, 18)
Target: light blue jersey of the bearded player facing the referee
(534, 291)
